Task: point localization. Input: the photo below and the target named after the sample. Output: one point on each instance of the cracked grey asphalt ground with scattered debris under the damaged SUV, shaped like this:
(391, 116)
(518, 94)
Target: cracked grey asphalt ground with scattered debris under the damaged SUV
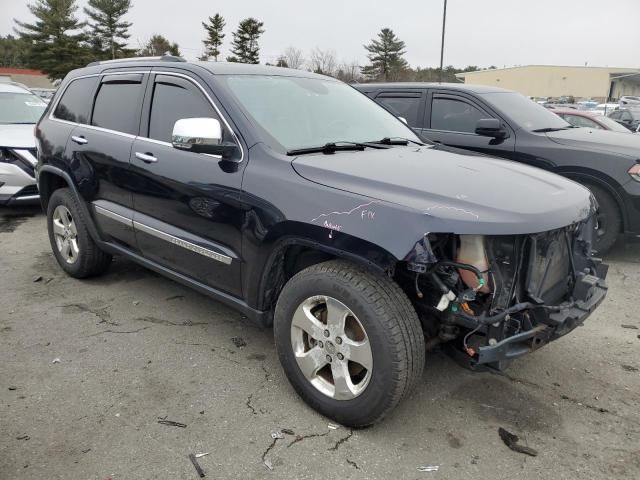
(88, 369)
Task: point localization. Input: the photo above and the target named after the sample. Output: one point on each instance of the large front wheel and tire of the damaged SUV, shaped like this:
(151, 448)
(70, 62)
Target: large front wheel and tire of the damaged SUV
(378, 315)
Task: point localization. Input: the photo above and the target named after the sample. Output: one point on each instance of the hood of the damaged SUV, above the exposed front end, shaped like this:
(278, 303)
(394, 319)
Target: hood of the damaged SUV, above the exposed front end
(458, 192)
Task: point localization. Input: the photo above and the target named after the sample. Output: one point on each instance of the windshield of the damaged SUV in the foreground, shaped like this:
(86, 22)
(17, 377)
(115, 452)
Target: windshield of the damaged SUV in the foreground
(307, 112)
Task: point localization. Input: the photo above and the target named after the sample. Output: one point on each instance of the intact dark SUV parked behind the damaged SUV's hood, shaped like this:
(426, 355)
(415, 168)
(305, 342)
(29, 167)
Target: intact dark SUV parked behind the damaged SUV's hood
(506, 124)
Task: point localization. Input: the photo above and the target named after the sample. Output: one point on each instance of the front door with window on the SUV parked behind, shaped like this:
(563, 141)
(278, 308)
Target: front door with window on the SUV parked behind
(451, 118)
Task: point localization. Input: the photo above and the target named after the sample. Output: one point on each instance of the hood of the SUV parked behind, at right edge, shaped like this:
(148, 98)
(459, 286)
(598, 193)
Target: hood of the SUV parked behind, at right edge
(599, 140)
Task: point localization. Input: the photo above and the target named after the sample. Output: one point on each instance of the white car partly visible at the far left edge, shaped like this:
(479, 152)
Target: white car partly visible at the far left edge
(19, 111)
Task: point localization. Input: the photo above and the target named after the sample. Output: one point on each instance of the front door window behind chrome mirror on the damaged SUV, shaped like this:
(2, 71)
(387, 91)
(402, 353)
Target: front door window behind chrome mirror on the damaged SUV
(174, 99)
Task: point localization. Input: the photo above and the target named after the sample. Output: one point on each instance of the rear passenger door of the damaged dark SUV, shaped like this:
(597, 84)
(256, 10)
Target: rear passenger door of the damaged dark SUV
(102, 151)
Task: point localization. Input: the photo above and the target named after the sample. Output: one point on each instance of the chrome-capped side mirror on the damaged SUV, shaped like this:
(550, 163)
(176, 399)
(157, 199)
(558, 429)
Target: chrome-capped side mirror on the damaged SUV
(201, 135)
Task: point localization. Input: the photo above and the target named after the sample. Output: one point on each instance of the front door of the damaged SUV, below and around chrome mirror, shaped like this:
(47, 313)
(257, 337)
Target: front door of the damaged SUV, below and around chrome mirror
(187, 216)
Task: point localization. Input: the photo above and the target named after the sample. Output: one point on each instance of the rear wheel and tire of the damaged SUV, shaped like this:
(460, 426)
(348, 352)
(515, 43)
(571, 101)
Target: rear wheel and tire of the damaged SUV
(73, 247)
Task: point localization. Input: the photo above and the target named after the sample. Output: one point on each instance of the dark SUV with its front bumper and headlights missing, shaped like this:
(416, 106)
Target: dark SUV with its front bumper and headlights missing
(303, 204)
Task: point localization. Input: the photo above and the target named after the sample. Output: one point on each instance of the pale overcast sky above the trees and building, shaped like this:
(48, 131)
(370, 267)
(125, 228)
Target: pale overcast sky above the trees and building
(478, 32)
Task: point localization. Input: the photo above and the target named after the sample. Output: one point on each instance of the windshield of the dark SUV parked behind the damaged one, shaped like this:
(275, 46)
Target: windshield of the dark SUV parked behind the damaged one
(526, 114)
